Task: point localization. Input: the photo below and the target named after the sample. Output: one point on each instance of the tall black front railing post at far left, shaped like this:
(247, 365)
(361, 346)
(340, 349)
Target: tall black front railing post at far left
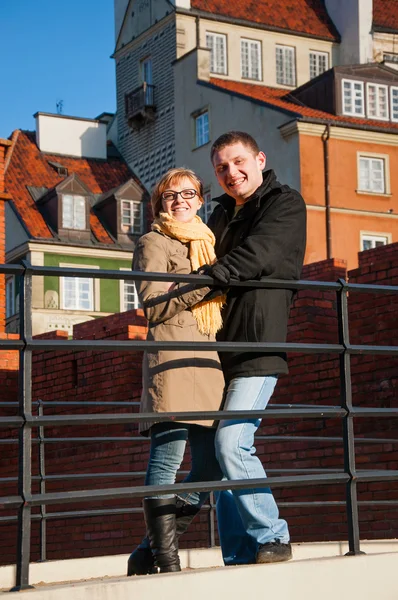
(25, 434)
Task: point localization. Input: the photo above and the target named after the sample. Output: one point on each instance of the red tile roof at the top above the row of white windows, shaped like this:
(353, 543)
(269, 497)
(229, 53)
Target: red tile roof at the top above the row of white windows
(307, 17)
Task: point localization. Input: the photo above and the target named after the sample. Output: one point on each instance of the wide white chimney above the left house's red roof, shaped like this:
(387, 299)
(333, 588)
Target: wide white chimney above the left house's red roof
(73, 136)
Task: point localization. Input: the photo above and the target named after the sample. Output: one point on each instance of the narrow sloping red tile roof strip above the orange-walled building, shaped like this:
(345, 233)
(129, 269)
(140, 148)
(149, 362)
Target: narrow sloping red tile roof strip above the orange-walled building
(279, 99)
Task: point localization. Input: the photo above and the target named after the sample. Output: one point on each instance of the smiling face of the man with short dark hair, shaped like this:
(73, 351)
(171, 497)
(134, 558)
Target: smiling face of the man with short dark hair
(239, 171)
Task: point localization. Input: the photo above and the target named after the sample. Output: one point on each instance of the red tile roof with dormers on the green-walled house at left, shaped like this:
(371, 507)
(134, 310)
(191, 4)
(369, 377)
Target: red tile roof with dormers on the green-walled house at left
(29, 167)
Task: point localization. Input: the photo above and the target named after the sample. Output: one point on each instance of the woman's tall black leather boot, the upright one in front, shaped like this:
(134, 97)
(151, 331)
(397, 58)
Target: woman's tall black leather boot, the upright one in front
(160, 519)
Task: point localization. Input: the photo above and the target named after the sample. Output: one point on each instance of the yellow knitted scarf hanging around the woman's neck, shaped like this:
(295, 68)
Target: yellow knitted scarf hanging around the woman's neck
(201, 252)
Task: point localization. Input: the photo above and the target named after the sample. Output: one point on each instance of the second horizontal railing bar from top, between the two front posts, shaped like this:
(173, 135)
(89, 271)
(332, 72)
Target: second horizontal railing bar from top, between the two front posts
(137, 345)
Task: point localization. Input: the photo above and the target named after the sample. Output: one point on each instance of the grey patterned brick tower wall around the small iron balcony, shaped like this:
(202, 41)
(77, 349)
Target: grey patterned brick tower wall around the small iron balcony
(149, 151)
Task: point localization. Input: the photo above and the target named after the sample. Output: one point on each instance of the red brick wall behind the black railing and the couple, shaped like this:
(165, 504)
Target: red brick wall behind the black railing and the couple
(313, 379)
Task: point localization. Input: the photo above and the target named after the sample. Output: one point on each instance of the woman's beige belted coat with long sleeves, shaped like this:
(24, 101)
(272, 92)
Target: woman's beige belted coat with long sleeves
(174, 380)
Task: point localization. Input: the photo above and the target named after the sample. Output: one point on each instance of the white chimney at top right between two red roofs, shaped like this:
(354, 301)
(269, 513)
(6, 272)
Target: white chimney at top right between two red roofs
(353, 19)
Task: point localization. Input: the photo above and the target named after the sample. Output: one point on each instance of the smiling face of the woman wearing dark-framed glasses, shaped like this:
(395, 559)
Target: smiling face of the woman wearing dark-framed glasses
(181, 209)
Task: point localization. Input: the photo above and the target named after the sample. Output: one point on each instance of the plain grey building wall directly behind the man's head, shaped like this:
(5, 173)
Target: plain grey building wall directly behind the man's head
(228, 112)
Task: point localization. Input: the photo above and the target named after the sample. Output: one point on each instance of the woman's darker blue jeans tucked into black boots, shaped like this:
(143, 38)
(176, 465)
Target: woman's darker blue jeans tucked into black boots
(168, 442)
